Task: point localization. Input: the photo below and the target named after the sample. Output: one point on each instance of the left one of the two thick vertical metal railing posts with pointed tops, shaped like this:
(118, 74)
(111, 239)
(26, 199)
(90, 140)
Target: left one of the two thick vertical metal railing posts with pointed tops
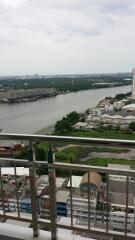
(32, 171)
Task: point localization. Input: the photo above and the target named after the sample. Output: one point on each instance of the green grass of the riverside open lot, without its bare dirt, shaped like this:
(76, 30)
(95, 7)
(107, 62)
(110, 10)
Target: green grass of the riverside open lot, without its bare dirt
(76, 153)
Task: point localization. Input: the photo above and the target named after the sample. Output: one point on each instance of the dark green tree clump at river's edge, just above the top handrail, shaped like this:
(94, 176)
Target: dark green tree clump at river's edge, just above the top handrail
(65, 125)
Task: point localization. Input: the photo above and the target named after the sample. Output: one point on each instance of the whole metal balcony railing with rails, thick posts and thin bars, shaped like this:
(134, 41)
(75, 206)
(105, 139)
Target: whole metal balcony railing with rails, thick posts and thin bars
(52, 166)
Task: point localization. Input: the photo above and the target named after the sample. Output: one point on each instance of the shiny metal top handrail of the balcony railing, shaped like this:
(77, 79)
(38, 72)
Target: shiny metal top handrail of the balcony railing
(77, 140)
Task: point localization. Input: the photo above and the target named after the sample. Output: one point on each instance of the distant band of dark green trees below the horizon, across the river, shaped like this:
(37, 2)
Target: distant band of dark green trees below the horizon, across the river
(66, 83)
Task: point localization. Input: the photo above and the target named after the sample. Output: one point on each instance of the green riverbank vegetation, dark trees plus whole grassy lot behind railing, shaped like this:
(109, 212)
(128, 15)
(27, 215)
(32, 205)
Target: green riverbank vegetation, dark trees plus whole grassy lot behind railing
(80, 154)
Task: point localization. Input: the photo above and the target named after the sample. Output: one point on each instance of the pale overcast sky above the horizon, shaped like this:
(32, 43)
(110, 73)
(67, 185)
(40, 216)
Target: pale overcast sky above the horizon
(66, 36)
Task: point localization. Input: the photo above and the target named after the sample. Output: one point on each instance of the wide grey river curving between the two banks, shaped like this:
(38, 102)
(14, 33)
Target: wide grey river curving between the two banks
(32, 116)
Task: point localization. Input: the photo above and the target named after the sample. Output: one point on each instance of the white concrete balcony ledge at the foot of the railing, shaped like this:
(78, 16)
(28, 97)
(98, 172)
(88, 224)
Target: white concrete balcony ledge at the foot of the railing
(12, 232)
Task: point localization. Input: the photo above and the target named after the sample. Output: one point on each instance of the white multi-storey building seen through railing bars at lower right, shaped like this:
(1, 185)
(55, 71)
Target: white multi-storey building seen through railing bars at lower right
(80, 213)
